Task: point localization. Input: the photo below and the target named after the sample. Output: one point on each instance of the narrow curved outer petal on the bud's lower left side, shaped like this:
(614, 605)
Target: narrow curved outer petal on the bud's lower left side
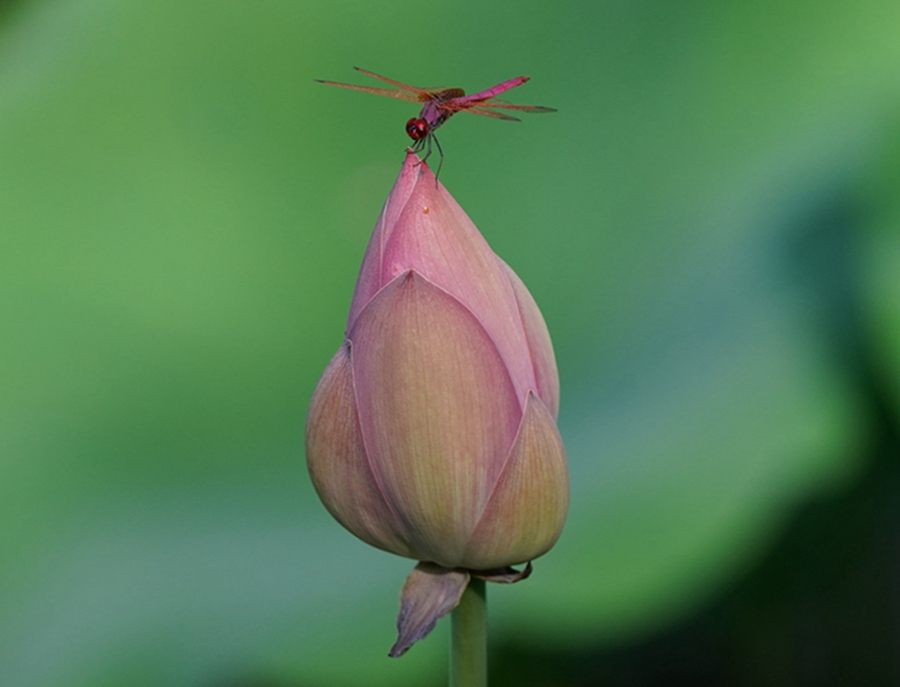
(337, 461)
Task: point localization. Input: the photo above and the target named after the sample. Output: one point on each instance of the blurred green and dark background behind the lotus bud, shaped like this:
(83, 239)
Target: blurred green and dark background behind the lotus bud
(710, 223)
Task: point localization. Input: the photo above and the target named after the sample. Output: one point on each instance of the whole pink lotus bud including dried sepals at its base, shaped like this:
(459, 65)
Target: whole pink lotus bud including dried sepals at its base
(432, 433)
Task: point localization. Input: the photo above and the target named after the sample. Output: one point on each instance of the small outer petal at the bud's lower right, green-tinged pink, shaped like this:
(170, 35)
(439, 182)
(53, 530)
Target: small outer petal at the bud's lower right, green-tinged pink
(526, 512)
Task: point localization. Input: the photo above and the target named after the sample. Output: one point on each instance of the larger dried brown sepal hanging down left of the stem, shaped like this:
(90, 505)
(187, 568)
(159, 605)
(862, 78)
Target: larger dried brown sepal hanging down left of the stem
(429, 593)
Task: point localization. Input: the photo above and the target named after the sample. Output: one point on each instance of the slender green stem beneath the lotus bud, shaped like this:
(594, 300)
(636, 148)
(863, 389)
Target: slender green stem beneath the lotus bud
(468, 642)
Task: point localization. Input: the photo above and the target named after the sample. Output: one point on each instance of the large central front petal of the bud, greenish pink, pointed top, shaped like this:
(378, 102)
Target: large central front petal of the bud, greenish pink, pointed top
(437, 409)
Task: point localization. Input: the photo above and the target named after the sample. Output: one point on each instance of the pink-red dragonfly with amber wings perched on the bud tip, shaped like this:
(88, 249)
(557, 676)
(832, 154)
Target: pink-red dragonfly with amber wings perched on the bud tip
(443, 103)
